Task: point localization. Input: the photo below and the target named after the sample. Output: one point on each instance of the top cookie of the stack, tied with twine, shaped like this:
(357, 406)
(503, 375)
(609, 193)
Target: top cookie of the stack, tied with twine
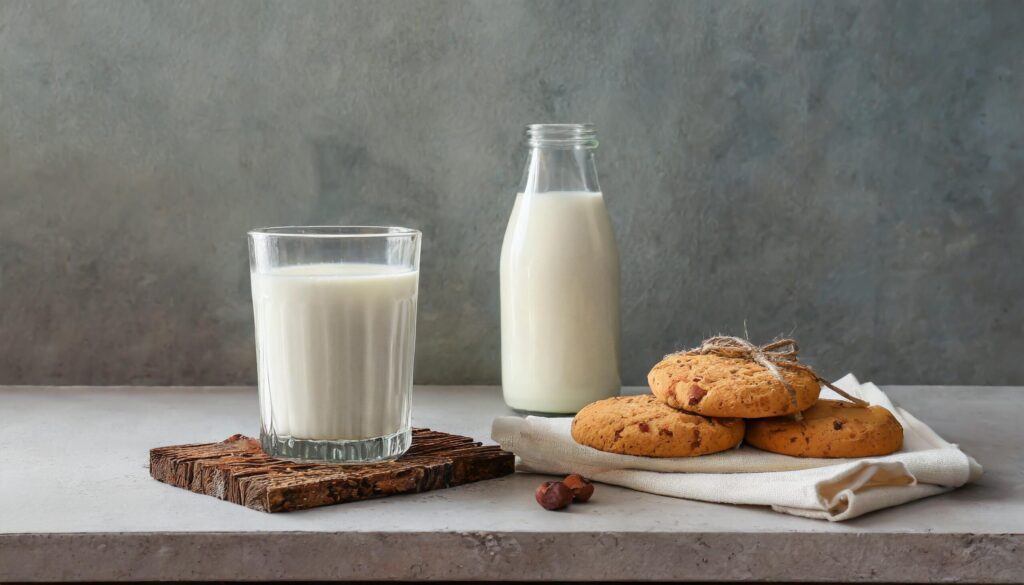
(715, 386)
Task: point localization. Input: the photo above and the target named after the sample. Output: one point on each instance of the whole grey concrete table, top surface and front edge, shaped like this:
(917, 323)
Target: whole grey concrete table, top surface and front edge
(77, 505)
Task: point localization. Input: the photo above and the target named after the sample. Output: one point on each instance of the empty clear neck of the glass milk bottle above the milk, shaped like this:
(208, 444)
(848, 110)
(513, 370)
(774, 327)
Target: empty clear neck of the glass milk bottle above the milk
(562, 159)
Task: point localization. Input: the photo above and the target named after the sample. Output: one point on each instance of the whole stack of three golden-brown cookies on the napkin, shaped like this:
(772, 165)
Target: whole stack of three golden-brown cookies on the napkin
(706, 403)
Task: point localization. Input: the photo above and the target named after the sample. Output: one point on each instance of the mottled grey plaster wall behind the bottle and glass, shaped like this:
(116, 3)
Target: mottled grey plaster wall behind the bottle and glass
(848, 173)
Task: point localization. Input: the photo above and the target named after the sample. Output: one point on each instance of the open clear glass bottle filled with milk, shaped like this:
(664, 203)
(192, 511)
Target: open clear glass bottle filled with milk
(560, 279)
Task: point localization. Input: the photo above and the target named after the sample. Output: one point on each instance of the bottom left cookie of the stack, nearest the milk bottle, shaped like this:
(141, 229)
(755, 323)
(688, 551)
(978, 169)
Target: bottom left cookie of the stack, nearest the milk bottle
(644, 426)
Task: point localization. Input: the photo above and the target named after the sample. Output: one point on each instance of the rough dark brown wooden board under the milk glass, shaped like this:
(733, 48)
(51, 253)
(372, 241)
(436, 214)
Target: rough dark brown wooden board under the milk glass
(238, 471)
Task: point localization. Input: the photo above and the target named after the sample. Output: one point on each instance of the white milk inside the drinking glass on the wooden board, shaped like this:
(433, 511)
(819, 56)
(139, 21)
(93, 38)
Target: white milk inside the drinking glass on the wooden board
(335, 350)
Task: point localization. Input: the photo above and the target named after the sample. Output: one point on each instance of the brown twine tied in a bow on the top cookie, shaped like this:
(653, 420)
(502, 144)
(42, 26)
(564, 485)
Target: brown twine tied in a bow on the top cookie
(782, 354)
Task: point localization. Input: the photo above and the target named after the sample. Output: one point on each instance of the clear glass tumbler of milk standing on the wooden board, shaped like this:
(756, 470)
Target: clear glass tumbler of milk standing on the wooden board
(335, 312)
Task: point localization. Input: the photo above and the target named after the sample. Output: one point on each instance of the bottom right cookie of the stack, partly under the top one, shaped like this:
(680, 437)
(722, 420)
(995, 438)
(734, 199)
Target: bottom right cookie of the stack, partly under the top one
(830, 429)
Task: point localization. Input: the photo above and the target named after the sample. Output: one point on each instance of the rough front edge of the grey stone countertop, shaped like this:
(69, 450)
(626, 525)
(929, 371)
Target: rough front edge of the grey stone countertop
(516, 557)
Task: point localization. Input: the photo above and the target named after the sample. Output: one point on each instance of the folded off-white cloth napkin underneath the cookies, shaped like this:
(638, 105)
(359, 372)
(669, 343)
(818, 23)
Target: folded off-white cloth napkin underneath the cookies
(830, 489)
